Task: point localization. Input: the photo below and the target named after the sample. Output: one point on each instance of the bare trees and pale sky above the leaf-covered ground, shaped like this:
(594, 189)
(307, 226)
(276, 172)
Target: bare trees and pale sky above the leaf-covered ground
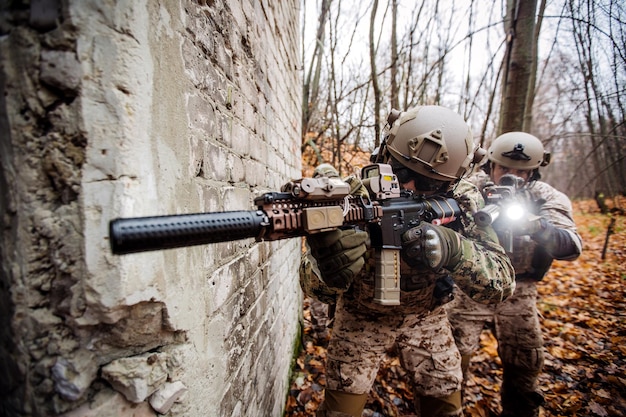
(555, 69)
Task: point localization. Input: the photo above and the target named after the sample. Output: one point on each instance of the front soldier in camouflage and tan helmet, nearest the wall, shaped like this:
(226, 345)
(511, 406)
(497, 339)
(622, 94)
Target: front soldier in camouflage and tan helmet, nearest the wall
(429, 149)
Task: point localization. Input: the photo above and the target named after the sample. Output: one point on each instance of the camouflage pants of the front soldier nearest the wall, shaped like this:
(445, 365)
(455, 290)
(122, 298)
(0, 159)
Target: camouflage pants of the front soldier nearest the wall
(425, 345)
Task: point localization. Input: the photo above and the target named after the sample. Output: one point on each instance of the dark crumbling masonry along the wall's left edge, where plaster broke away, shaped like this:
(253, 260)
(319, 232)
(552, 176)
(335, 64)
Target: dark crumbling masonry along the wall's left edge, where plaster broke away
(46, 364)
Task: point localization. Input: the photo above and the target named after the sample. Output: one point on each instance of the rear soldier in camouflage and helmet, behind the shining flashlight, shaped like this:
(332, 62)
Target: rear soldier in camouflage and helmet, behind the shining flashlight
(549, 234)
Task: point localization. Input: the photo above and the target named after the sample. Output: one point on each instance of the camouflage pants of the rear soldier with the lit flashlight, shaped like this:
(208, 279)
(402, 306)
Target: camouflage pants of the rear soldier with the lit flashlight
(517, 329)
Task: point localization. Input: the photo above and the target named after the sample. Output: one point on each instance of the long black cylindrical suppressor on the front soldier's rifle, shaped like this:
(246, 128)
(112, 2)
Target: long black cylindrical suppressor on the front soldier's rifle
(140, 234)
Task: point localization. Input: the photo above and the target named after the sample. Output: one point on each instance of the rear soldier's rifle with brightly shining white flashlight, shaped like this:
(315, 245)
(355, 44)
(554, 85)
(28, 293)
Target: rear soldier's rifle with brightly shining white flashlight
(505, 206)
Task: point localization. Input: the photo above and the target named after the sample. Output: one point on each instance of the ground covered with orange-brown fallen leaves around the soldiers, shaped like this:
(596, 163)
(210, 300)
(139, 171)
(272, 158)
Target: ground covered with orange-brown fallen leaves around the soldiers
(583, 312)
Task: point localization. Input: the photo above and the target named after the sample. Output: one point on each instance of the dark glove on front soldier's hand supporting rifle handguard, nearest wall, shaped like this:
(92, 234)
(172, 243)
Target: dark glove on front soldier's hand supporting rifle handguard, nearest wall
(339, 255)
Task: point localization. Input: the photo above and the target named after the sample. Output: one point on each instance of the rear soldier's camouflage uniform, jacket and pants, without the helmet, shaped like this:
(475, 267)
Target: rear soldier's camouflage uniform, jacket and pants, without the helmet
(517, 327)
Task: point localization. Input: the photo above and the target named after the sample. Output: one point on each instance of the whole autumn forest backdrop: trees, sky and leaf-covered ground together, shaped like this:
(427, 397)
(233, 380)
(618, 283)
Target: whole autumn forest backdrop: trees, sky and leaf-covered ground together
(555, 69)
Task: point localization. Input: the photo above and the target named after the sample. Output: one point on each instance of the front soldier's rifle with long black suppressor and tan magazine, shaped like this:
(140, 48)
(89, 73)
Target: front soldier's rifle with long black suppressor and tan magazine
(303, 207)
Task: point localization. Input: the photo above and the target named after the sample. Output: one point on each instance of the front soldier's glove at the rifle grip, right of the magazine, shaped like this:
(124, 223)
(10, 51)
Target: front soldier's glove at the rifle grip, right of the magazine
(435, 246)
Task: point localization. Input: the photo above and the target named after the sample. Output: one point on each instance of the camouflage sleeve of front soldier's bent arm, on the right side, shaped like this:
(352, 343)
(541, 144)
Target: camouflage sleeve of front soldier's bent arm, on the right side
(484, 272)
